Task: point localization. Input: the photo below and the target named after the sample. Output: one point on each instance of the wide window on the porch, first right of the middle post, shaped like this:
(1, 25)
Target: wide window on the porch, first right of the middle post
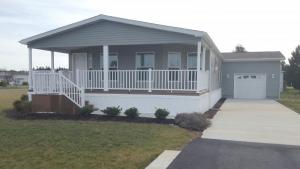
(144, 60)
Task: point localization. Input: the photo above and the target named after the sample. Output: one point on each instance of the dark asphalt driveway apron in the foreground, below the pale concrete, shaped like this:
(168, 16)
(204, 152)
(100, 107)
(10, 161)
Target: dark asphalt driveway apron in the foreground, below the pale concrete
(224, 154)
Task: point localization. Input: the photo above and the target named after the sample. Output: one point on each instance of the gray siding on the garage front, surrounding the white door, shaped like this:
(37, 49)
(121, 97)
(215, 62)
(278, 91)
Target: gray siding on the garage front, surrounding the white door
(267, 67)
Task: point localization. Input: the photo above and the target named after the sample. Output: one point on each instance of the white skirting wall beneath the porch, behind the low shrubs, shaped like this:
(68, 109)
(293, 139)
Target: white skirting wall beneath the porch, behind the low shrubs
(147, 104)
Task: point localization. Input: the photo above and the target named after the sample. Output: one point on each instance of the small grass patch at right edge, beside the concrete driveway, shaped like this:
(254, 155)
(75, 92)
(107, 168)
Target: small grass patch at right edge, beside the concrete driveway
(291, 98)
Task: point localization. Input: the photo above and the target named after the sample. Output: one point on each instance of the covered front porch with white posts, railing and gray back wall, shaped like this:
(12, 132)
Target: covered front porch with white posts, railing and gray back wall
(154, 68)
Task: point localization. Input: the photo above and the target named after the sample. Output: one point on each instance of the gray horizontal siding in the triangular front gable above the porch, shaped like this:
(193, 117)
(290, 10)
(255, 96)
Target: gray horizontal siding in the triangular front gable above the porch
(111, 33)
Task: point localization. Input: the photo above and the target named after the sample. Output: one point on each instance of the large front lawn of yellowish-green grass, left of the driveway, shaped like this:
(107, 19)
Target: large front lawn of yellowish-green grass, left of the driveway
(30, 144)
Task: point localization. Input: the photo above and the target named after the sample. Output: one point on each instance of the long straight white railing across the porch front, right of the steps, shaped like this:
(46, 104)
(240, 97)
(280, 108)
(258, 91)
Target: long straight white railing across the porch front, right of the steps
(180, 80)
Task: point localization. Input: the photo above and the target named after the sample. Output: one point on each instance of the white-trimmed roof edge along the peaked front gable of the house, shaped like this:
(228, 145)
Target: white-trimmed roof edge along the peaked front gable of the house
(114, 19)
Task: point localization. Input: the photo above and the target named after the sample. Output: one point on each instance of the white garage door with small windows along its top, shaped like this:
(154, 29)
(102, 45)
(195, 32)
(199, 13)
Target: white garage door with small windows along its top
(250, 86)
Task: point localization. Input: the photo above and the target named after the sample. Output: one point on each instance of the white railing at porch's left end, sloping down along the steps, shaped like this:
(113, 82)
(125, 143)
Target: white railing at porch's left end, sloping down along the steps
(57, 83)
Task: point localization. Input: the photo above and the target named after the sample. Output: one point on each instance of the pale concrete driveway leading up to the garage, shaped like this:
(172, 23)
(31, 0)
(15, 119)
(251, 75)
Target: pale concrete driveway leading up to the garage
(260, 121)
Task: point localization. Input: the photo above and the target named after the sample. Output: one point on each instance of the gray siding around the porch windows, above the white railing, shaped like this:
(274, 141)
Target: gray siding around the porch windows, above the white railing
(126, 54)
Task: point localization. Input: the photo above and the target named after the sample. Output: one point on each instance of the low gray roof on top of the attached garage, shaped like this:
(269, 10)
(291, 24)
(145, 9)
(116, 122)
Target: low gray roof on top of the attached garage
(253, 56)
